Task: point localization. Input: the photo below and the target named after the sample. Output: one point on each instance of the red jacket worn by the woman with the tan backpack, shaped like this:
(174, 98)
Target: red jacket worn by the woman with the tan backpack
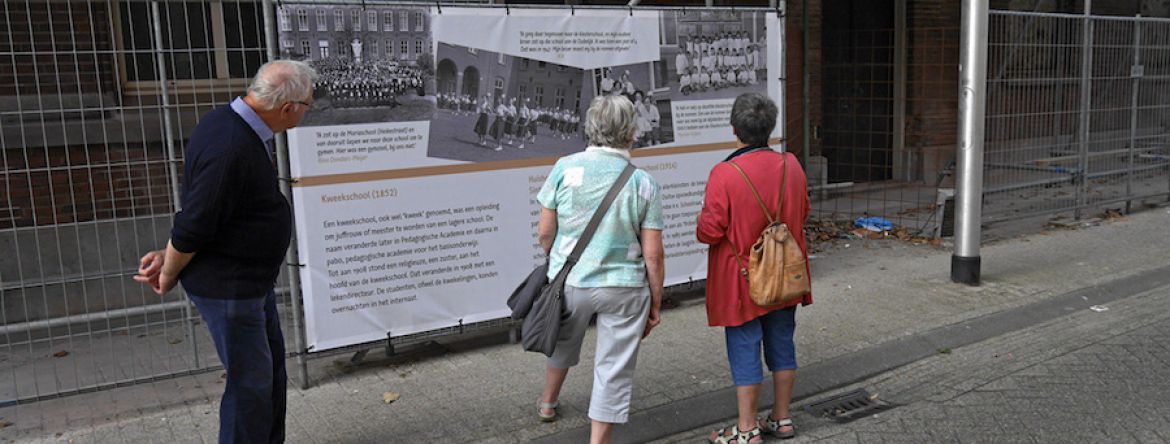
(729, 208)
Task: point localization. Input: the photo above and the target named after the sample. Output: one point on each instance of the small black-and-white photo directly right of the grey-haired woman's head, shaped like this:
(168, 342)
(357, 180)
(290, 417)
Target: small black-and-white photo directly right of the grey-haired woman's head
(638, 84)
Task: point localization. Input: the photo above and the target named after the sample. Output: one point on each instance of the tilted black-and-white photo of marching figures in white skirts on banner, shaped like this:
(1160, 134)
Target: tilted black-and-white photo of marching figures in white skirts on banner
(497, 107)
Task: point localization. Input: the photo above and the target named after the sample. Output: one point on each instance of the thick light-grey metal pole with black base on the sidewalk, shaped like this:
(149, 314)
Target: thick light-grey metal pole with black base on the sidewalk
(969, 181)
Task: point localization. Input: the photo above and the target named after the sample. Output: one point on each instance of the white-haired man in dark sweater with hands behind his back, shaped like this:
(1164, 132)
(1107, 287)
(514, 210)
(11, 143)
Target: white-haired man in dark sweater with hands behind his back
(230, 240)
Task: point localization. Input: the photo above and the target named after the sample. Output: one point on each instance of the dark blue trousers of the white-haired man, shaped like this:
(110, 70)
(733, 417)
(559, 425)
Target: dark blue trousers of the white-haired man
(249, 340)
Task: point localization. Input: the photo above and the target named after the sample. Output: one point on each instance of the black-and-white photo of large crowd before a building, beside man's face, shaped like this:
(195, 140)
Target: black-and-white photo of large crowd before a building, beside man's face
(375, 63)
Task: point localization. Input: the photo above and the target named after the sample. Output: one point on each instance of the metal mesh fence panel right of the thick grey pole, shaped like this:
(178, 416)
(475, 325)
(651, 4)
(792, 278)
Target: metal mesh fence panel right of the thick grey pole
(1075, 120)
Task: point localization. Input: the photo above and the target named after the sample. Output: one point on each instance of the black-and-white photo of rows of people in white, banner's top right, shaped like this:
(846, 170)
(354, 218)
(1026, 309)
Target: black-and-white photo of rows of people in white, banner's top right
(713, 54)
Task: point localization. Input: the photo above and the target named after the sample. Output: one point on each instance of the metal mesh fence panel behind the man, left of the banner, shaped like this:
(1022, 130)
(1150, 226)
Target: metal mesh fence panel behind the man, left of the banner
(98, 100)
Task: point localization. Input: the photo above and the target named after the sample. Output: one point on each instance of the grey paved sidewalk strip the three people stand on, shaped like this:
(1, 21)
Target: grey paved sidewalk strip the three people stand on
(868, 295)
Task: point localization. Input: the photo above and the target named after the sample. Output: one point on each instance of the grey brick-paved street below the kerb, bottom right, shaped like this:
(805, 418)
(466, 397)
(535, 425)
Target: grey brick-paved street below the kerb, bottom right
(1090, 377)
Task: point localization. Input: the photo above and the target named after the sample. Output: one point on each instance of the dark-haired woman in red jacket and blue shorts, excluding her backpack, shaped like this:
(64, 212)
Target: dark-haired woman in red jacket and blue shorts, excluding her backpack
(731, 222)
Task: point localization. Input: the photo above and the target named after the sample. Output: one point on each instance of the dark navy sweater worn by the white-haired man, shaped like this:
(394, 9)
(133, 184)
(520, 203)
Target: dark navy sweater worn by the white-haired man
(235, 217)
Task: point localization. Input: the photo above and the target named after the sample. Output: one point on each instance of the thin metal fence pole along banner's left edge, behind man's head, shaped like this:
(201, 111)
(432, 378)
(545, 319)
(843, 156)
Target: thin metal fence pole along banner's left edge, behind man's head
(291, 257)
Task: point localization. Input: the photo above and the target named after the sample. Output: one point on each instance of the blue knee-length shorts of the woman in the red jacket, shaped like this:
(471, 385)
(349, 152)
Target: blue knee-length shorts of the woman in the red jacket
(773, 331)
